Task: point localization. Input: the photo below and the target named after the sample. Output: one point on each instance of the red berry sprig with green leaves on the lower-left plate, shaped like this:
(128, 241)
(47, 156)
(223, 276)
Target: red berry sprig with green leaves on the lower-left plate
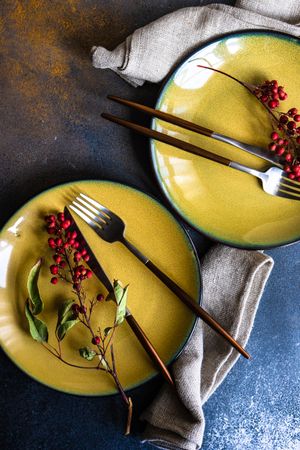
(70, 257)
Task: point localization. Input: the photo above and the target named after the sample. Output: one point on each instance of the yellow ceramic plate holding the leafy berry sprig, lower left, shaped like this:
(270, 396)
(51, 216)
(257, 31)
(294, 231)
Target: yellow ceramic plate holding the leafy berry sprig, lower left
(166, 321)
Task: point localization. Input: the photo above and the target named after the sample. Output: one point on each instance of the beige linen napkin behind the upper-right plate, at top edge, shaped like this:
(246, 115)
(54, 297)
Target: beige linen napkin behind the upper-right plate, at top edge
(152, 51)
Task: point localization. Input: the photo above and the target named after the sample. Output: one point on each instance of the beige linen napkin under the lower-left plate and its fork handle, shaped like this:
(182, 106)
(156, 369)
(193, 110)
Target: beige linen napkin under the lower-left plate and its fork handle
(233, 282)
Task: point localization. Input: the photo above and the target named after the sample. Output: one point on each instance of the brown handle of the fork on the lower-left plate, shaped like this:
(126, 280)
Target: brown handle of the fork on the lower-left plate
(195, 307)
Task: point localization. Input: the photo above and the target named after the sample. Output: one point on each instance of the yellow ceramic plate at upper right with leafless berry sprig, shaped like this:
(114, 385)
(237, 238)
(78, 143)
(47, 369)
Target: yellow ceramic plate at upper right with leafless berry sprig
(227, 205)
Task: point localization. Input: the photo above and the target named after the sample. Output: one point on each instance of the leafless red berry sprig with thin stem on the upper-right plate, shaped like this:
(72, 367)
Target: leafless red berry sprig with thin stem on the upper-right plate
(286, 132)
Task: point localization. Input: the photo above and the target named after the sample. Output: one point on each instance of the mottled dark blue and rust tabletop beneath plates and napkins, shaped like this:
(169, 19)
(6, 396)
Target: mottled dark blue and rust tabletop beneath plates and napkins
(52, 132)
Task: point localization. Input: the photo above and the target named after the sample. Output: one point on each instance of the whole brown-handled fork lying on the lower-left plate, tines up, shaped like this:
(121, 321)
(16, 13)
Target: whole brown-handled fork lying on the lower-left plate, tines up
(110, 227)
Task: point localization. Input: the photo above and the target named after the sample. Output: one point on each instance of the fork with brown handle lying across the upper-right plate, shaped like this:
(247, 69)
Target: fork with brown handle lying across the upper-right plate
(274, 180)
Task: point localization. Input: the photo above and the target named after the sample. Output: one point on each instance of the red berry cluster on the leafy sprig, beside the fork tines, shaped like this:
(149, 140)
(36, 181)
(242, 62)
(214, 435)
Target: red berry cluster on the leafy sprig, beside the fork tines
(66, 246)
